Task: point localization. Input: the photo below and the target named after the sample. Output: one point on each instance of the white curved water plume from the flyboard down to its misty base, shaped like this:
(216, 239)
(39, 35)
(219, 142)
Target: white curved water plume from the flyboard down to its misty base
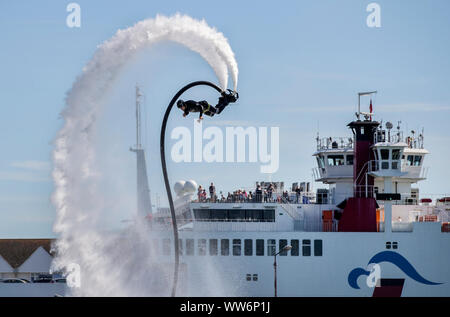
(115, 264)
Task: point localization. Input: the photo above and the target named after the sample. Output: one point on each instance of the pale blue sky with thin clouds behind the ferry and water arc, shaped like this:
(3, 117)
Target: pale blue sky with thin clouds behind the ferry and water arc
(301, 65)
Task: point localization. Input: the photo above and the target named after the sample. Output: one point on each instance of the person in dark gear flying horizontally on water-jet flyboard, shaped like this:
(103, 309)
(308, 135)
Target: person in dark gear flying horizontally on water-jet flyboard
(203, 107)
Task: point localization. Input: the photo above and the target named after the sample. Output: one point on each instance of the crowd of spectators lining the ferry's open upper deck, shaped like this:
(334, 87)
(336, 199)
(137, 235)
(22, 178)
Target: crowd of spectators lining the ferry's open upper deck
(258, 195)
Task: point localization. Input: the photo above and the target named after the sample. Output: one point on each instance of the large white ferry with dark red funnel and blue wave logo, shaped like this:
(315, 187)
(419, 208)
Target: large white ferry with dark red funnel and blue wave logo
(369, 233)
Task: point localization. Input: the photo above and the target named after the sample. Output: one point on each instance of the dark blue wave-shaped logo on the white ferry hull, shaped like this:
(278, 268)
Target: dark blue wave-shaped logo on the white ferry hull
(391, 257)
